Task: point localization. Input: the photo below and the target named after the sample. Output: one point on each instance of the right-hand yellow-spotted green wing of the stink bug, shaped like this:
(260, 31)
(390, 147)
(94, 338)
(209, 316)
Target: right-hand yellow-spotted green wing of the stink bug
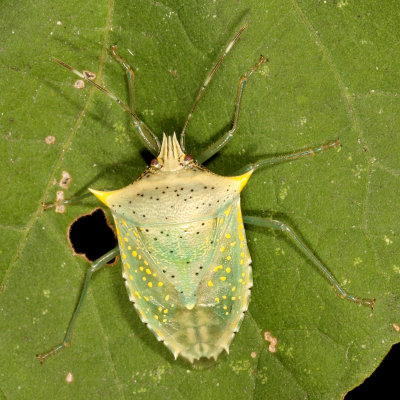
(224, 292)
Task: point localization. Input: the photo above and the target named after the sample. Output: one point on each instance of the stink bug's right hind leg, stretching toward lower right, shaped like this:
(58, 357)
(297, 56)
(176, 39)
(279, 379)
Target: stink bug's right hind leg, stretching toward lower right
(281, 226)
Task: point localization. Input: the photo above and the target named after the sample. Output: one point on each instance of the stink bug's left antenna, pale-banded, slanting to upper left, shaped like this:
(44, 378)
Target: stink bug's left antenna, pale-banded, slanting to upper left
(154, 147)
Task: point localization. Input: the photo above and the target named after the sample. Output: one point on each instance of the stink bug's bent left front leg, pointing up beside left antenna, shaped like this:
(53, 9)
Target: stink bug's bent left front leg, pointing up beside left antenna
(147, 136)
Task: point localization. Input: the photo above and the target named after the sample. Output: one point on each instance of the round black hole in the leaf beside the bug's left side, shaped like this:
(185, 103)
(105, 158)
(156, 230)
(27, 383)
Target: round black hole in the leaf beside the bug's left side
(90, 235)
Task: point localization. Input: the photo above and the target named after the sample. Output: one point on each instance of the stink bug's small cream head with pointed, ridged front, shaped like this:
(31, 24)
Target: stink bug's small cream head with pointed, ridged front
(171, 157)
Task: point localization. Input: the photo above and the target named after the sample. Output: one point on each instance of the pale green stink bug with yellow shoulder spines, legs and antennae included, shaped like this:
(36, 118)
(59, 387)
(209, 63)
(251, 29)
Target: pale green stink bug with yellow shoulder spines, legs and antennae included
(180, 229)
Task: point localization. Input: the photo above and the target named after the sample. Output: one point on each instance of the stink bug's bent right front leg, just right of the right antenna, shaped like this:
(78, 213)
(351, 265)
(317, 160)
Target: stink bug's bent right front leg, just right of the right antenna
(221, 142)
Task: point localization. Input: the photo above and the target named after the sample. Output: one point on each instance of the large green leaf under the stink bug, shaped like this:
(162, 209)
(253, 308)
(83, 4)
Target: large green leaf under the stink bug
(333, 71)
